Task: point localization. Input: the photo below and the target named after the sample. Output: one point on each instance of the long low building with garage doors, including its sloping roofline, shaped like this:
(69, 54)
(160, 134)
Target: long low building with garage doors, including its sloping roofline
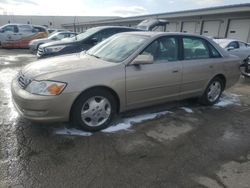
(231, 21)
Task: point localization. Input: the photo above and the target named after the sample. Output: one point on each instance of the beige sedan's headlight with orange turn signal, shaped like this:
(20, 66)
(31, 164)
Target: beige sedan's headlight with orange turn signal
(45, 87)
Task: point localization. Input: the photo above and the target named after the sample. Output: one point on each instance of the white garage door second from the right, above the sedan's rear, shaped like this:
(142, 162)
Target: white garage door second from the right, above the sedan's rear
(211, 28)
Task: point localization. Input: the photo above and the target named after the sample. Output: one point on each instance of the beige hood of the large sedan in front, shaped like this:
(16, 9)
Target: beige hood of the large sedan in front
(69, 63)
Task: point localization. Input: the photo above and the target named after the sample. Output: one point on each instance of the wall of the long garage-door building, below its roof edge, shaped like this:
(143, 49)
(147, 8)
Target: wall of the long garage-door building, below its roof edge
(216, 24)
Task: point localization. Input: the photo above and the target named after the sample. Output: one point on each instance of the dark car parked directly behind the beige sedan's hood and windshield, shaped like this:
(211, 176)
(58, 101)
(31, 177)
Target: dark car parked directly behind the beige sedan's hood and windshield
(81, 42)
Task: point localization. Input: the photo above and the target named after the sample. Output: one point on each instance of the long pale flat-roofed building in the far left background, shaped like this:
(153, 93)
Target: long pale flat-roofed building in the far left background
(49, 21)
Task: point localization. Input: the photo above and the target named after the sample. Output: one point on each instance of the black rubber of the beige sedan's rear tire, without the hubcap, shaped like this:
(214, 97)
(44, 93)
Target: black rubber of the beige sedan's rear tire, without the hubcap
(205, 97)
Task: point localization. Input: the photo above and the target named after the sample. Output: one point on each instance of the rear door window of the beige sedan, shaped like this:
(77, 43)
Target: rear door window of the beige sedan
(195, 48)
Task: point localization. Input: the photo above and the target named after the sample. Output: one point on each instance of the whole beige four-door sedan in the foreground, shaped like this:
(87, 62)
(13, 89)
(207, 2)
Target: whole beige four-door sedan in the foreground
(126, 71)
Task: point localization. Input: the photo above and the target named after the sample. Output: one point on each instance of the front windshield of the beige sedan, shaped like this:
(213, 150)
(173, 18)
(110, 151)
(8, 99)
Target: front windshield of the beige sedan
(117, 48)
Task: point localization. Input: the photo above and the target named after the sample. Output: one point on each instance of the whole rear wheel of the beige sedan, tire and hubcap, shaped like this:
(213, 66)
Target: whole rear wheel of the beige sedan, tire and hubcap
(213, 92)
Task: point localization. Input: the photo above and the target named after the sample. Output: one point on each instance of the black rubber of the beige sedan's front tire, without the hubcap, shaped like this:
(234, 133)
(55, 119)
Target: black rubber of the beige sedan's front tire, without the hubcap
(76, 118)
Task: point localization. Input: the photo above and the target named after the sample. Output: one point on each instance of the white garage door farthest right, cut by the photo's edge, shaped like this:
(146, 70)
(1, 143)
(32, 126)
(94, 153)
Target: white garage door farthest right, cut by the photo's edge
(239, 29)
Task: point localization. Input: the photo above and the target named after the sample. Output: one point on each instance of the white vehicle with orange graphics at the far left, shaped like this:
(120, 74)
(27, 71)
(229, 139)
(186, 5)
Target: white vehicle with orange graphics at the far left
(19, 35)
